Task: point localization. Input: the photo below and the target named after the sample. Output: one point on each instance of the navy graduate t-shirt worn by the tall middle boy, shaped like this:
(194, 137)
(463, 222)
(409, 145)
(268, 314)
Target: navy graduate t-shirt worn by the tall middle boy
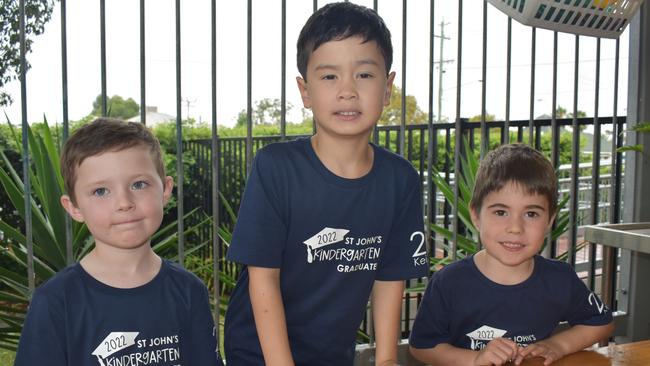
(332, 238)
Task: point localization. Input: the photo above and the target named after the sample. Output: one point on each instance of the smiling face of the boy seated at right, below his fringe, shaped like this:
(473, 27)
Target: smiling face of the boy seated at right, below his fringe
(512, 225)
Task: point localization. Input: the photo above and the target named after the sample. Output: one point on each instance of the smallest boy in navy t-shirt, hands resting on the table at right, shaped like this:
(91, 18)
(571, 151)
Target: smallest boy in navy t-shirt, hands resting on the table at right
(504, 302)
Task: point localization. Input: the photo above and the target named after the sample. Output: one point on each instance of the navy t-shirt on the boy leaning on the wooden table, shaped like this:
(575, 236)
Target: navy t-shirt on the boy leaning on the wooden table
(464, 308)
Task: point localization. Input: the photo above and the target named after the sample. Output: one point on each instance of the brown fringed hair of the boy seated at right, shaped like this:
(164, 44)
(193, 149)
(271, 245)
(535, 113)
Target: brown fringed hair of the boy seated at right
(520, 164)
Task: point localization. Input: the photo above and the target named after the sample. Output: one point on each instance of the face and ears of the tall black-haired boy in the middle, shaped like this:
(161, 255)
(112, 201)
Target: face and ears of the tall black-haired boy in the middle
(346, 86)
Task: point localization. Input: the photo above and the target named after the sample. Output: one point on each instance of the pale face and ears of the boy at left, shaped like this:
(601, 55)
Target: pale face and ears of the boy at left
(120, 197)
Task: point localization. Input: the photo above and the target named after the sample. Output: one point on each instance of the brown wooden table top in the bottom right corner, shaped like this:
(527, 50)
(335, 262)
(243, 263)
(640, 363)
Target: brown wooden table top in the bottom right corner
(629, 354)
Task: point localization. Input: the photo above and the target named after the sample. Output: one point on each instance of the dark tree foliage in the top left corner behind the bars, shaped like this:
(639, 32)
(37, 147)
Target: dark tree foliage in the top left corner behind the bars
(37, 13)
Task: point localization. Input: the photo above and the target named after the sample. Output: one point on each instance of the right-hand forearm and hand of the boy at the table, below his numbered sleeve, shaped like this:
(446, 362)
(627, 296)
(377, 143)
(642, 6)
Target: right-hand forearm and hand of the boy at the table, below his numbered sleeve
(564, 343)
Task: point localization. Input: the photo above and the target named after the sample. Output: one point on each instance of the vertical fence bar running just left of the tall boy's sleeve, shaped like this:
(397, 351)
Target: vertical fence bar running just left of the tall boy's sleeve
(215, 159)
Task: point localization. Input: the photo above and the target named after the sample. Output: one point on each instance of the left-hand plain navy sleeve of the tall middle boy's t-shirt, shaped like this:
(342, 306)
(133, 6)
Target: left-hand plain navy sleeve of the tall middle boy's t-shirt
(260, 232)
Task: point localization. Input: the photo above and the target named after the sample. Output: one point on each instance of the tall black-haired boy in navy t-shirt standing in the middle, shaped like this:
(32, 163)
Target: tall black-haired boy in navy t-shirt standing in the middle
(328, 220)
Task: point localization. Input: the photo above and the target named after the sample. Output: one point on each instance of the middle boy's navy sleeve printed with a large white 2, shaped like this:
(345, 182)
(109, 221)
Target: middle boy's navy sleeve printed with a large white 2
(405, 252)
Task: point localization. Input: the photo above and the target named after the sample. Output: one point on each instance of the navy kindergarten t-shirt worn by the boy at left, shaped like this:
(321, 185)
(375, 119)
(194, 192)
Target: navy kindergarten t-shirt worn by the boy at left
(75, 320)
